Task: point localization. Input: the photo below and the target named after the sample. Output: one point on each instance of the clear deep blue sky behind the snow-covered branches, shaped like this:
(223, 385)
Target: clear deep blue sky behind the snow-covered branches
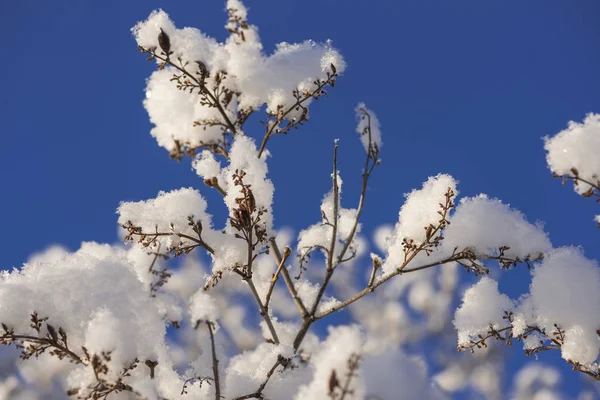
(467, 88)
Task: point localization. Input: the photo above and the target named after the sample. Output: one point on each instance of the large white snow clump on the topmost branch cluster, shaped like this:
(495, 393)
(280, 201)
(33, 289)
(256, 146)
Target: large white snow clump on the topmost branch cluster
(258, 78)
